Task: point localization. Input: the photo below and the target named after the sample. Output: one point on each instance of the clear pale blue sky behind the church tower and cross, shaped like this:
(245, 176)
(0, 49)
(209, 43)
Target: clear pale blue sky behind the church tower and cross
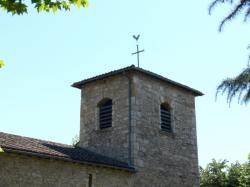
(46, 53)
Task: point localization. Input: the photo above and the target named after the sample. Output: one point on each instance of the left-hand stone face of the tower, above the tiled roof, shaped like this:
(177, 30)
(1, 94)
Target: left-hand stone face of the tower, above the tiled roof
(111, 141)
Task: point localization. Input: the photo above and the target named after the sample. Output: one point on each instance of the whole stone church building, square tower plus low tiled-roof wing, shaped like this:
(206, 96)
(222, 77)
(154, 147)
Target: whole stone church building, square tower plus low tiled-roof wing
(137, 129)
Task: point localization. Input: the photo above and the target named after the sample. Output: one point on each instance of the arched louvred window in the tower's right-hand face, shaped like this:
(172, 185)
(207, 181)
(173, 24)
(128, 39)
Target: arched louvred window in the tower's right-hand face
(165, 118)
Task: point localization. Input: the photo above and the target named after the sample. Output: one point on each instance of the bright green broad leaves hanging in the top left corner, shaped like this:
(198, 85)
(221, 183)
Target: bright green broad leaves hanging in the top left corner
(20, 6)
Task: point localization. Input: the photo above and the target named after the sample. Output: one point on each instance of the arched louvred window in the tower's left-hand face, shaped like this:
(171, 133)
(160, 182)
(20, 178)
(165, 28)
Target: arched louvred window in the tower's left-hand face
(105, 114)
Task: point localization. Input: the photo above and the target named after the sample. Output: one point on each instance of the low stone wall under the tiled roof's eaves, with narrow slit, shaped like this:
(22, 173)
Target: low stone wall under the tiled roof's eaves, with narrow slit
(24, 171)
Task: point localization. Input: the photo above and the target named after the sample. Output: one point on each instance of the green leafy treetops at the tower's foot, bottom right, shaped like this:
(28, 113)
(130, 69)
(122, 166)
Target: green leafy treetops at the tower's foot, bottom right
(220, 174)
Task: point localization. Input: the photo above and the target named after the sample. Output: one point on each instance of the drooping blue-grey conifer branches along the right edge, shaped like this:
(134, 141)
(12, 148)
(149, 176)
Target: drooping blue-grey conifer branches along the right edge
(239, 85)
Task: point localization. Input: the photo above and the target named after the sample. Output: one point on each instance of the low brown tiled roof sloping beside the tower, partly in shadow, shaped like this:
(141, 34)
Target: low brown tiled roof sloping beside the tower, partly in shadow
(29, 146)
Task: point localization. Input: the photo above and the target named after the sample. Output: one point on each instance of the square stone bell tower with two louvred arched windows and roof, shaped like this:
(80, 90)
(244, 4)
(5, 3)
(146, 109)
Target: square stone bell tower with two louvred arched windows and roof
(144, 119)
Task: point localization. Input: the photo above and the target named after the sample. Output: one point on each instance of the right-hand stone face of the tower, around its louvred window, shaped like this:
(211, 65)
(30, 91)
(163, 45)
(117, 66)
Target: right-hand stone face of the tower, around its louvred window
(161, 158)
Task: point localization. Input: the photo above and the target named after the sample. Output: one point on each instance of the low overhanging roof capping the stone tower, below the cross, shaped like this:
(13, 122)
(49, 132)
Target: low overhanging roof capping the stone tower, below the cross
(136, 69)
